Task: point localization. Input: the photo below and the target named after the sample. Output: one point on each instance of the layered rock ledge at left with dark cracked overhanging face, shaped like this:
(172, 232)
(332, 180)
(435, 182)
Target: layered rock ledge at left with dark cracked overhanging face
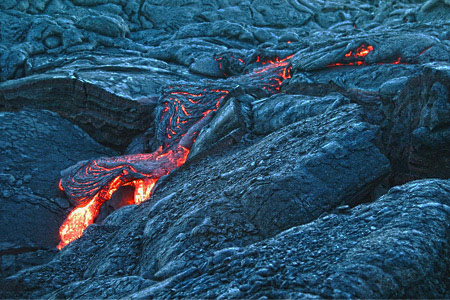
(95, 95)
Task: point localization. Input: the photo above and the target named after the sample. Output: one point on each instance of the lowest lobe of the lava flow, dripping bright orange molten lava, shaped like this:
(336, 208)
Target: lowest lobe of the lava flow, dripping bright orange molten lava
(91, 183)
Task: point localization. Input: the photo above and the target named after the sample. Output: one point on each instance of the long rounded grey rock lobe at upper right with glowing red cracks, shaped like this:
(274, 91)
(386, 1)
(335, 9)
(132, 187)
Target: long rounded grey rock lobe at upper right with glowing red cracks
(394, 47)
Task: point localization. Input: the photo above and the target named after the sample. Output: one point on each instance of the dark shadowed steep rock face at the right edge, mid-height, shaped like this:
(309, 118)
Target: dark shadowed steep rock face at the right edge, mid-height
(419, 137)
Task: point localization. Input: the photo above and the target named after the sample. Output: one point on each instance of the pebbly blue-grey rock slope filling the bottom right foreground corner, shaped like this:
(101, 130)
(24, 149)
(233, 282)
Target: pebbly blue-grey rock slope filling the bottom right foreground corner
(396, 247)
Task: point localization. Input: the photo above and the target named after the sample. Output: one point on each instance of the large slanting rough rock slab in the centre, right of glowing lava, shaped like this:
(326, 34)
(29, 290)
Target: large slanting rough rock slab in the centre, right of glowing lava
(290, 177)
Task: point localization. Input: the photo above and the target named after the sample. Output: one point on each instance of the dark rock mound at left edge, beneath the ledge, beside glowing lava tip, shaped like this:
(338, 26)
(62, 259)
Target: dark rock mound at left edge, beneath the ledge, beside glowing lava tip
(34, 145)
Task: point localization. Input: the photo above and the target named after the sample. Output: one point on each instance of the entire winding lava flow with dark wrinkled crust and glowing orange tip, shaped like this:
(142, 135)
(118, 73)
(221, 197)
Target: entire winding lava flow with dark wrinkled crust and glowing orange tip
(182, 112)
